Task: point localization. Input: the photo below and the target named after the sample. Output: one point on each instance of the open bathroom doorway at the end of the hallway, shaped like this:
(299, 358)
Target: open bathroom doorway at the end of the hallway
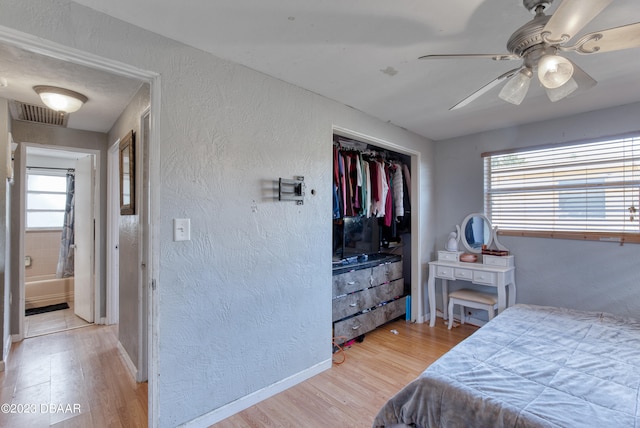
(58, 204)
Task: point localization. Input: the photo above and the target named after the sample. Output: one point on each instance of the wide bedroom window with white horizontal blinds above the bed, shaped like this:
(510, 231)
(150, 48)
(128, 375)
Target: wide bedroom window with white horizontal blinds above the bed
(584, 191)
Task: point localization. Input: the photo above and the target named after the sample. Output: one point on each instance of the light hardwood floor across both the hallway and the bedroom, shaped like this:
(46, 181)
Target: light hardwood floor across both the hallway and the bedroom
(83, 367)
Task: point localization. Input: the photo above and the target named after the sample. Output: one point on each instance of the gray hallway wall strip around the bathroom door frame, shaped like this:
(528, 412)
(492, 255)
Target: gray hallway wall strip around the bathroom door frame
(25, 132)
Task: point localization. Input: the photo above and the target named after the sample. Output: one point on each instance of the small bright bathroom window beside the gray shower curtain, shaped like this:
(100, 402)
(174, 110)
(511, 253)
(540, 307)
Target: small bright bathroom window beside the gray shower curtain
(46, 199)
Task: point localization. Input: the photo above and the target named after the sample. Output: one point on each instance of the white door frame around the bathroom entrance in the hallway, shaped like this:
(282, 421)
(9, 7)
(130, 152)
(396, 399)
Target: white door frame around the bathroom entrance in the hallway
(23, 227)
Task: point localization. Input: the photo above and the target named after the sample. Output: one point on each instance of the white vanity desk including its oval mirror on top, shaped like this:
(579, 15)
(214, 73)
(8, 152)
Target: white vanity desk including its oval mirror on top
(494, 271)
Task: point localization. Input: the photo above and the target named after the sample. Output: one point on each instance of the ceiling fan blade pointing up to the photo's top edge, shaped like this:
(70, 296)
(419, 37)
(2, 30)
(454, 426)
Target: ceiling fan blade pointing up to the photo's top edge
(570, 17)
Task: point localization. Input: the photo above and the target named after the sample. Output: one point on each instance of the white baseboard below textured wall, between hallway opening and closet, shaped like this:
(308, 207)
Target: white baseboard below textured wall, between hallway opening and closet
(247, 401)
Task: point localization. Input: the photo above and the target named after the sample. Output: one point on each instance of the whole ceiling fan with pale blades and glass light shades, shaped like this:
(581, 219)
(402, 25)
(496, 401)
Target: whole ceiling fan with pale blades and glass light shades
(539, 44)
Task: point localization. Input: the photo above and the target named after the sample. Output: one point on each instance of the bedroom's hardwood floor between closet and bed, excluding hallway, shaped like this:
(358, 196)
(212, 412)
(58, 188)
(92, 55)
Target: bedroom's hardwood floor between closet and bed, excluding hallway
(350, 394)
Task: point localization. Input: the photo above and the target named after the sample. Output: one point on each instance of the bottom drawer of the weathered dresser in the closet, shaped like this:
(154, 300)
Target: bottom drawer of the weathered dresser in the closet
(363, 323)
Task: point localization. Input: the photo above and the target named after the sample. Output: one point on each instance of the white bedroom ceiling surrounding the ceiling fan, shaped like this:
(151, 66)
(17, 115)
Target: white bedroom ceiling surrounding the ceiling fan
(364, 53)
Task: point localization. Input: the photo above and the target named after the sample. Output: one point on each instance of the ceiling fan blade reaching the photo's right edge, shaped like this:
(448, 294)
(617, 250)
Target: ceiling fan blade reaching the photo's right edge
(613, 39)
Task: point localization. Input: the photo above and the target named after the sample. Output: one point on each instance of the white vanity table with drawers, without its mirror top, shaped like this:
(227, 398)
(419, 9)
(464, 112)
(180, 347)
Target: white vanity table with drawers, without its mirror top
(501, 277)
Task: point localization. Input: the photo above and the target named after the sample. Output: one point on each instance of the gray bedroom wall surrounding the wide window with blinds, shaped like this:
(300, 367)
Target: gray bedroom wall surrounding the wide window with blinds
(586, 275)
